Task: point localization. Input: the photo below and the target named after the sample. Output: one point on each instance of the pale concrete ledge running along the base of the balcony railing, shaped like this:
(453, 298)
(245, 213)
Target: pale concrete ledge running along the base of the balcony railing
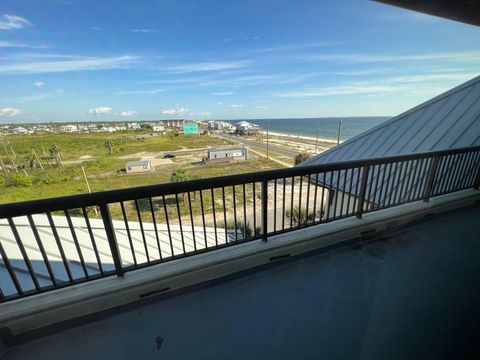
(37, 311)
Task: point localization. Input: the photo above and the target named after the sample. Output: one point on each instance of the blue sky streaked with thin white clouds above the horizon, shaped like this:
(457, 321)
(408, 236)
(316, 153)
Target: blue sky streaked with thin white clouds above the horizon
(81, 60)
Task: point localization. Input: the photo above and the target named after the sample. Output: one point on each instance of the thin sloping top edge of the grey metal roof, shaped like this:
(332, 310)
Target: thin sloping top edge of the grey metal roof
(400, 116)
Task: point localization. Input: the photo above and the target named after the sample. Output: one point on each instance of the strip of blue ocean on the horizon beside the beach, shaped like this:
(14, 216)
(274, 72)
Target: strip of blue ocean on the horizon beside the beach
(327, 127)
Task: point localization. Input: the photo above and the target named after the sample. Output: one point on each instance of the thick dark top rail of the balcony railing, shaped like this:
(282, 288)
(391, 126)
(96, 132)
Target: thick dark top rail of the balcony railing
(111, 196)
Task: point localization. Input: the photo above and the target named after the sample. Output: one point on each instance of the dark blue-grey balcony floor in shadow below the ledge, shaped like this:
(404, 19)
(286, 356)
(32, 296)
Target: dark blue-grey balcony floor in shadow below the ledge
(413, 295)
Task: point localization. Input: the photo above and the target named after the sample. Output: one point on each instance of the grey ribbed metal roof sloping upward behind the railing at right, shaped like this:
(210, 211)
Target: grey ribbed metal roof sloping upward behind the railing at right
(448, 121)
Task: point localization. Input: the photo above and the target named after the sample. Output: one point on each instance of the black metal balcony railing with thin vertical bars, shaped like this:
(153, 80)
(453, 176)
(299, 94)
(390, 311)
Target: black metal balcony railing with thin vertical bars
(52, 243)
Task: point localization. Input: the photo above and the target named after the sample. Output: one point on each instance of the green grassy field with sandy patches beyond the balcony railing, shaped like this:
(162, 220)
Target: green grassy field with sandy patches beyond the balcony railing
(104, 171)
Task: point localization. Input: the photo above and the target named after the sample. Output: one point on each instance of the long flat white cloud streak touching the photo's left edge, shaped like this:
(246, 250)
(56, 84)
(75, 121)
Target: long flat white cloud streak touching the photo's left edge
(65, 63)
